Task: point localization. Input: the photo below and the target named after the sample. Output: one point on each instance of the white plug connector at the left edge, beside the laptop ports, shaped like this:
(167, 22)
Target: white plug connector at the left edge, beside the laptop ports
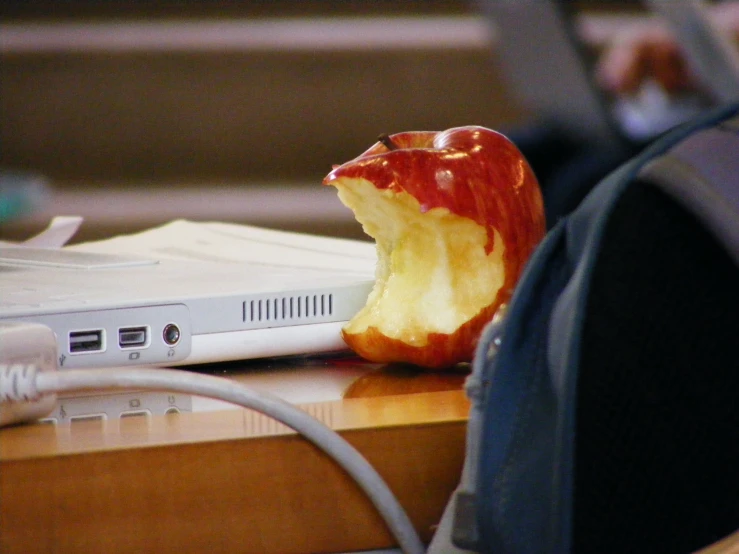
(26, 349)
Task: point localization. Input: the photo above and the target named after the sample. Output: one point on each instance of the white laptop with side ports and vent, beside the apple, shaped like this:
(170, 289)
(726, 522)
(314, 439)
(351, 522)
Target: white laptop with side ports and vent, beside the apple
(189, 293)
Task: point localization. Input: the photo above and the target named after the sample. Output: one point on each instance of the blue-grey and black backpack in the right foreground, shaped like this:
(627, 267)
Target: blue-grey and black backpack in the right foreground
(605, 413)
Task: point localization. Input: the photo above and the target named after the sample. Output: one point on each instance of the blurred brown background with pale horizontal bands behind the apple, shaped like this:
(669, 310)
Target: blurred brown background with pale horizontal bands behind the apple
(135, 113)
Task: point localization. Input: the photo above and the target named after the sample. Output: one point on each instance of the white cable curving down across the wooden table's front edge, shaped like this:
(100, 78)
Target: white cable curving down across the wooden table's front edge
(224, 389)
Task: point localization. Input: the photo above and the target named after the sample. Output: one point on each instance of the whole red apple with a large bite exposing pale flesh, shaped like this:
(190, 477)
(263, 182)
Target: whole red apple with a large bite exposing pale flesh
(455, 216)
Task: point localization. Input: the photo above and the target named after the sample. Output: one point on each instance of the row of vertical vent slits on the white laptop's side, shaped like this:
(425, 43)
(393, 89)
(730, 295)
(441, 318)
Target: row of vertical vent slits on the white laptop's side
(289, 308)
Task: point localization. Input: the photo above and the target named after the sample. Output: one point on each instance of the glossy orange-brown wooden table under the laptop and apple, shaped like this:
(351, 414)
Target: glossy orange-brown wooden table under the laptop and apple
(231, 480)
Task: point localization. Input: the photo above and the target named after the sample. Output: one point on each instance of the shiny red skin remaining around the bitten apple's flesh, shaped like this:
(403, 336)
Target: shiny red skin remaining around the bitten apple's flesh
(475, 173)
